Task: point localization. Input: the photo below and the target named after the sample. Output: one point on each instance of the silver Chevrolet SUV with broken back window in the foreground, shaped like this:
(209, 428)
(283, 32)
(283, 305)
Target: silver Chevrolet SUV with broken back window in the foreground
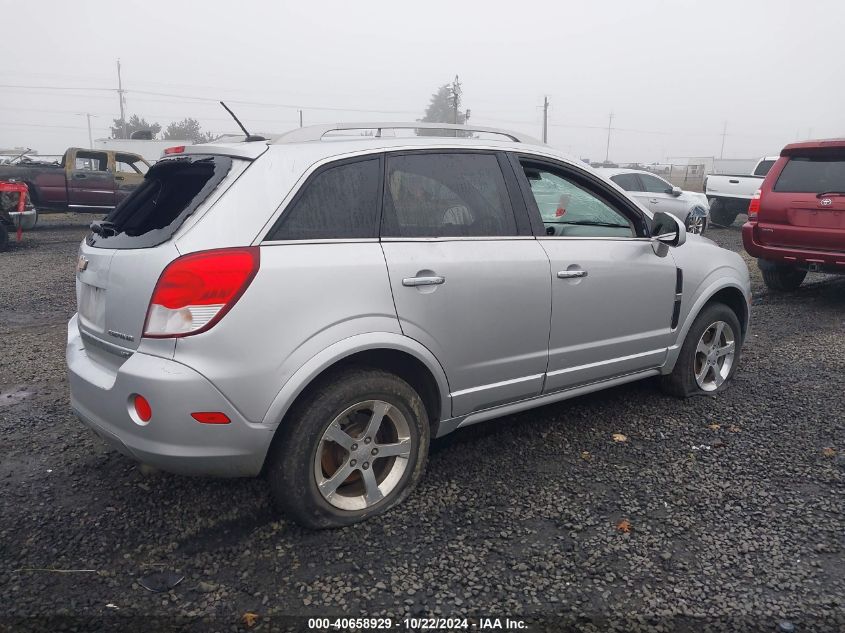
(317, 307)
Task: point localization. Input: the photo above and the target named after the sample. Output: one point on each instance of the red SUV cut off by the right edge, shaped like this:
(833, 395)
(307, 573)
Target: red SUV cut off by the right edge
(796, 221)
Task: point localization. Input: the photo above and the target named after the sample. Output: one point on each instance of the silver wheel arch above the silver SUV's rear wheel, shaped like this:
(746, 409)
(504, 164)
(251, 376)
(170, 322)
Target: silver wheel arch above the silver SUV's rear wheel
(398, 354)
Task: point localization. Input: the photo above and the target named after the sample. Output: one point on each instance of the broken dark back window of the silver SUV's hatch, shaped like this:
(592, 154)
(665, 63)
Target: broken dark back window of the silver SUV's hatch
(172, 190)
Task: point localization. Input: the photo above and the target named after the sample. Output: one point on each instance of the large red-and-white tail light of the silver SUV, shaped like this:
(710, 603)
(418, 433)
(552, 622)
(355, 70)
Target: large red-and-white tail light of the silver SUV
(195, 291)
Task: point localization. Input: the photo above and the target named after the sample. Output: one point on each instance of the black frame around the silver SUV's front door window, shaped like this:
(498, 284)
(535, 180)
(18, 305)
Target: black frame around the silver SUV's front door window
(592, 184)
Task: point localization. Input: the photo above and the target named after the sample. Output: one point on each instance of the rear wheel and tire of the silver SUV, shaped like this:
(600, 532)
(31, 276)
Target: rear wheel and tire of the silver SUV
(354, 446)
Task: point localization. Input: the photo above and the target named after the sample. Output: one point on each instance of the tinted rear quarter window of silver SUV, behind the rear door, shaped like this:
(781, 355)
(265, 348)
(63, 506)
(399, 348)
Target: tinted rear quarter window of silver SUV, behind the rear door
(338, 203)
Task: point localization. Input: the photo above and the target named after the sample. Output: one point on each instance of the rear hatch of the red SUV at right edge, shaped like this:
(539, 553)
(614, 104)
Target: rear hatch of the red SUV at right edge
(803, 204)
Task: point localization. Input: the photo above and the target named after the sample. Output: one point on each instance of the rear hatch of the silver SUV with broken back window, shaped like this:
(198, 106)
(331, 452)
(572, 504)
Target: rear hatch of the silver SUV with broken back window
(121, 259)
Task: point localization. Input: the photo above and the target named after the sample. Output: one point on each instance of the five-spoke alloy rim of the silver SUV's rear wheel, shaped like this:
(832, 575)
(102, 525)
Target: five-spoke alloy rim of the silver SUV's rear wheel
(362, 455)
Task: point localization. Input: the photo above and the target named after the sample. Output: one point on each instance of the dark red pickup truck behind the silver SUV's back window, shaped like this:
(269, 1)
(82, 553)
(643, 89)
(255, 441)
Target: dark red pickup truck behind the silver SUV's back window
(83, 180)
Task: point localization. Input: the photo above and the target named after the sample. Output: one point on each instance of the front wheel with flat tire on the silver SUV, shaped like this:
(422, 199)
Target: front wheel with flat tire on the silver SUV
(709, 355)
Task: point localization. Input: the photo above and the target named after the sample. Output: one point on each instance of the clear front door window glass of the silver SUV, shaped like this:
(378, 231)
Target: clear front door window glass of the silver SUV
(570, 210)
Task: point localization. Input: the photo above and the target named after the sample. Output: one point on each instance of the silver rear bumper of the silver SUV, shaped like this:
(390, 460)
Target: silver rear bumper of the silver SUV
(172, 440)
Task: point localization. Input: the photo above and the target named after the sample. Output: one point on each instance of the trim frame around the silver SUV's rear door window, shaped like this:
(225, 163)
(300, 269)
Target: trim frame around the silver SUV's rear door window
(510, 179)
